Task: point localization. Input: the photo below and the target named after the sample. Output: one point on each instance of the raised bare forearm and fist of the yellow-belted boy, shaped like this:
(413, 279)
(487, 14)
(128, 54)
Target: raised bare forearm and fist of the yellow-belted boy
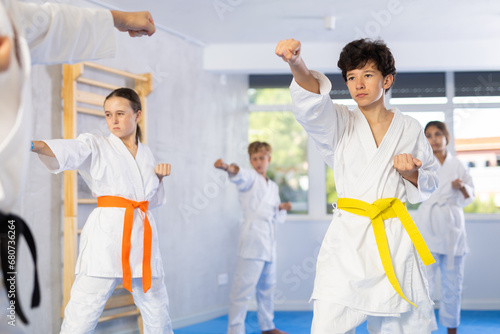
(289, 51)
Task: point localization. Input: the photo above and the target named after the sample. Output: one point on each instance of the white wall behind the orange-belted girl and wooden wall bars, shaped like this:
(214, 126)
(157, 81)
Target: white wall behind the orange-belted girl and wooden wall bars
(194, 117)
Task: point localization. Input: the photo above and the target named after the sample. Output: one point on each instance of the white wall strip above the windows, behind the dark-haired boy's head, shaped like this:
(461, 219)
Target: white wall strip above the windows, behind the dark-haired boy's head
(411, 56)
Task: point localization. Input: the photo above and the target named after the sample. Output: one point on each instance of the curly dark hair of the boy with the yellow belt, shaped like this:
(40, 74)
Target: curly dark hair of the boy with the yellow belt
(358, 53)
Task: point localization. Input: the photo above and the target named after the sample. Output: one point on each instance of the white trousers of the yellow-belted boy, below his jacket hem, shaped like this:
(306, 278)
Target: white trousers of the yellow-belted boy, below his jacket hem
(332, 318)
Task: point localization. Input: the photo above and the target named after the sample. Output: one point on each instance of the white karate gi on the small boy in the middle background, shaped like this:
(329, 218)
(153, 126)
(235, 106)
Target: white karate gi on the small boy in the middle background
(256, 267)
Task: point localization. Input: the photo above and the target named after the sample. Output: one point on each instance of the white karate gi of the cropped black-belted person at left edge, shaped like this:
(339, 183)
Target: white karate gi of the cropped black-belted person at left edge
(51, 33)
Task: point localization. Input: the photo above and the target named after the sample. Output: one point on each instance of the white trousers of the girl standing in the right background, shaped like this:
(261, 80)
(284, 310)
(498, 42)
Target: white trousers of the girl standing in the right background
(451, 288)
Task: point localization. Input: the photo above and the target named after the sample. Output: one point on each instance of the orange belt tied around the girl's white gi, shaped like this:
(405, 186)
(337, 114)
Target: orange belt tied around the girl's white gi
(130, 206)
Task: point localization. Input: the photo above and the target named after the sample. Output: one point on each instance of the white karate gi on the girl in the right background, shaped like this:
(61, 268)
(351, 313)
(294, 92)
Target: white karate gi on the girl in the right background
(441, 221)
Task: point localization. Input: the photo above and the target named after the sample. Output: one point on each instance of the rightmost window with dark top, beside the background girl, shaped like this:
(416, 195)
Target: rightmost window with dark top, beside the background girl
(476, 115)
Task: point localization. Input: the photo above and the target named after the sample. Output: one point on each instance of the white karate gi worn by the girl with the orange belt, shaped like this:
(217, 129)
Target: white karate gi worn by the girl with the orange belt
(109, 169)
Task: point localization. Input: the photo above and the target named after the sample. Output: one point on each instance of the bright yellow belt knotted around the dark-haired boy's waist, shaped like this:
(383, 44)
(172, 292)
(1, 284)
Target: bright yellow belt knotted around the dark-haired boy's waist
(380, 210)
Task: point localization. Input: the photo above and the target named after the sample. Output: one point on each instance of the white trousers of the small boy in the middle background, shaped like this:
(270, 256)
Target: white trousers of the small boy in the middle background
(250, 275)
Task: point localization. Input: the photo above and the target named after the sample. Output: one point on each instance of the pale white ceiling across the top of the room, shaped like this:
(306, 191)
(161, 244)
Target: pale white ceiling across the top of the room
(210, 22)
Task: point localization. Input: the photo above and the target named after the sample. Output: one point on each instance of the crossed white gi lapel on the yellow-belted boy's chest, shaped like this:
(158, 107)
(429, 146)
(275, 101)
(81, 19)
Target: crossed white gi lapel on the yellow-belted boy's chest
(378, 155)
